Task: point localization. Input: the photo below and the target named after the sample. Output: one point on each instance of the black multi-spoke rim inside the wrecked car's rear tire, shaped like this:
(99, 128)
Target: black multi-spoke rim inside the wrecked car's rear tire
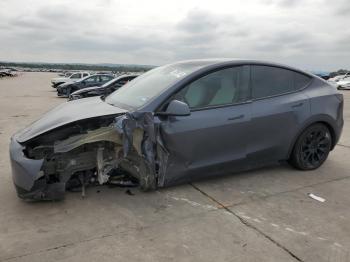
(315, 148)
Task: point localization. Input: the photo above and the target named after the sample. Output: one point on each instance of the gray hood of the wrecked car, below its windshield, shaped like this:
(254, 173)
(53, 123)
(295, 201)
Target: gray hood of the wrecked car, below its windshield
(67, 113)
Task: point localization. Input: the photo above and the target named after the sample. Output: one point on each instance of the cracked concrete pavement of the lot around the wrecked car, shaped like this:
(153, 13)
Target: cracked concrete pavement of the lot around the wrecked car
(260, 215)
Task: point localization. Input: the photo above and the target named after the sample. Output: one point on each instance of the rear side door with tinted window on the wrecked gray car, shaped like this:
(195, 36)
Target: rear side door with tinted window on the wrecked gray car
(278, 109)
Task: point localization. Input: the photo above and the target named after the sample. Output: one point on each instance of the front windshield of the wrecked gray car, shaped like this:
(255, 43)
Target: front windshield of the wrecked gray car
(148, 86)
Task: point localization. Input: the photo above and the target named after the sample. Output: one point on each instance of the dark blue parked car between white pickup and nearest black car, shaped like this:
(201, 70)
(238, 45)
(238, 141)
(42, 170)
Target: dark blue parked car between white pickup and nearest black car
(66, 89)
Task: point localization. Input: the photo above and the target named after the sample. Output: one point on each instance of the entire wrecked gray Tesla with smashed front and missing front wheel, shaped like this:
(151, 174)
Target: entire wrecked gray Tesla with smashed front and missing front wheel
(177, 123)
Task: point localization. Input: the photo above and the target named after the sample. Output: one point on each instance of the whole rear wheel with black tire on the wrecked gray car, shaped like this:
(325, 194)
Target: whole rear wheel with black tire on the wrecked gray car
(311, 148)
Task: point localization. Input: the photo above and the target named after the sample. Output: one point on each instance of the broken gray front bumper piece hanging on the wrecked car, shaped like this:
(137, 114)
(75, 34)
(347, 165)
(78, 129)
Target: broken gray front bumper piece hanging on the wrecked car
(28, 179)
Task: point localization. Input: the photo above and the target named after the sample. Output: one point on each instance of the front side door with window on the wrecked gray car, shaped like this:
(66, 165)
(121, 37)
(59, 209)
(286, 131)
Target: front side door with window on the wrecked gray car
(212, 139)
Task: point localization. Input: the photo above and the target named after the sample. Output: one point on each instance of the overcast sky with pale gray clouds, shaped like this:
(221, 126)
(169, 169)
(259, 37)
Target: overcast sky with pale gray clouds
(309, 34)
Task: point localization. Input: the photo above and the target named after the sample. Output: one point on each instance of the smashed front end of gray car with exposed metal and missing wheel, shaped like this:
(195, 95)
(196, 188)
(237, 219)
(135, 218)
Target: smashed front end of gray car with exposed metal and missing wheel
(95, 151)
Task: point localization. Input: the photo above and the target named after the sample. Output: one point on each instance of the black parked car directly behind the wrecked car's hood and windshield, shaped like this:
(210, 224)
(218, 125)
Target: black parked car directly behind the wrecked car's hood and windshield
(105, 89)
